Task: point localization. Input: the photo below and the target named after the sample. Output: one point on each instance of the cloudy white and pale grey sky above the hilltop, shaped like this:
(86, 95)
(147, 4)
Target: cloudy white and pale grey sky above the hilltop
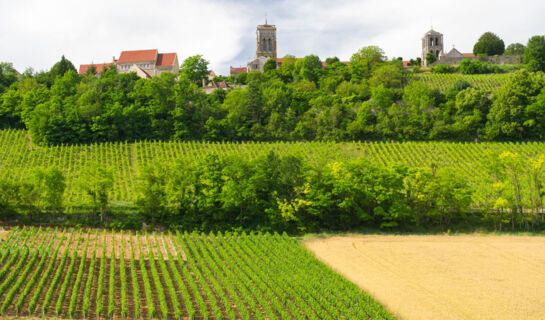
(35, 33)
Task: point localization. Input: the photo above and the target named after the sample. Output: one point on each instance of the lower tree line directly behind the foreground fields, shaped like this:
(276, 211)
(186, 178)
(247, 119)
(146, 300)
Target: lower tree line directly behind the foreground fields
(292, 193)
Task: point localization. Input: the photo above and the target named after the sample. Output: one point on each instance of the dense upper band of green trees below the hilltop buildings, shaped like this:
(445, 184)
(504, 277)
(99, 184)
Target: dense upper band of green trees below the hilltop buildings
(367, 99)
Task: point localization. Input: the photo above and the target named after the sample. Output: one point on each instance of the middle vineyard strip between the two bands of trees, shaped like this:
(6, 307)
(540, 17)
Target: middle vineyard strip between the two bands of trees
(19, 157)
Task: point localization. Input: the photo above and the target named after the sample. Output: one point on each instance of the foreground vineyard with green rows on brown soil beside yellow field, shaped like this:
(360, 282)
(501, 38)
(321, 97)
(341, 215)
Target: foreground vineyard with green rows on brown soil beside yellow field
(97, 274)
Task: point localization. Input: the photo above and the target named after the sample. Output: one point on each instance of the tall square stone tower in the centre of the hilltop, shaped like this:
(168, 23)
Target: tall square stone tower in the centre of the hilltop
(265, 46)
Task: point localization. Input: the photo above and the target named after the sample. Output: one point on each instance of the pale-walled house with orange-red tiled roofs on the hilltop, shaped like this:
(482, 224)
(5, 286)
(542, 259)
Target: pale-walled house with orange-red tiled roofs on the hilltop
(145, 63)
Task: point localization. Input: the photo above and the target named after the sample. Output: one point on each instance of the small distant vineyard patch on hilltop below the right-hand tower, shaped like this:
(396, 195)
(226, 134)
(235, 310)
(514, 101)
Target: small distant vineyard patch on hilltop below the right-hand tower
(444, 82)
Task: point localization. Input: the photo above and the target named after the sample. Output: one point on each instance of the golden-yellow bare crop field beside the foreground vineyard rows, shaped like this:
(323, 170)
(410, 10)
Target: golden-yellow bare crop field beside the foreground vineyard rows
(444, 277)
